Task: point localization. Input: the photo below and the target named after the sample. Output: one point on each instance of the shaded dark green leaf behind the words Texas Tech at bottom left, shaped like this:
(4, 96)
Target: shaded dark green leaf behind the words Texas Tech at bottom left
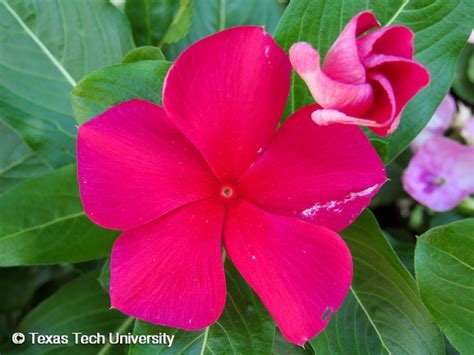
(80, 306)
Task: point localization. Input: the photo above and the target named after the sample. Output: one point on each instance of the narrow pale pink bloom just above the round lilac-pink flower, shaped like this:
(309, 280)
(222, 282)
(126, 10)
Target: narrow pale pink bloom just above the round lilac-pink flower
(438, 124)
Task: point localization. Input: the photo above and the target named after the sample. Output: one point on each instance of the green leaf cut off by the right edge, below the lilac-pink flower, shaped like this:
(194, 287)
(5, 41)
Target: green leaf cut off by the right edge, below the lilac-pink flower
(444, 265)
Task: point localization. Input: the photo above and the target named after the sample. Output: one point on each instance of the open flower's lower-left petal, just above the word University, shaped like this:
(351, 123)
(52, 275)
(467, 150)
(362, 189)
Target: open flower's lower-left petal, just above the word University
(170, 272)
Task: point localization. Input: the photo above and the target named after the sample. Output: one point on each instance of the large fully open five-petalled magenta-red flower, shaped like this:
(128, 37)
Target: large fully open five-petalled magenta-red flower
(208, 168)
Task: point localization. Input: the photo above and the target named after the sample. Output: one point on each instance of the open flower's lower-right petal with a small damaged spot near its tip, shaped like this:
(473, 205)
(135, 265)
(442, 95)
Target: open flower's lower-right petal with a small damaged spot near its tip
(301, 271)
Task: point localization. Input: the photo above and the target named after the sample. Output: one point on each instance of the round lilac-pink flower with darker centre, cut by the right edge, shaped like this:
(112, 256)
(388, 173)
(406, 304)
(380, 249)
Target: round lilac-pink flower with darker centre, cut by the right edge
(440, 174)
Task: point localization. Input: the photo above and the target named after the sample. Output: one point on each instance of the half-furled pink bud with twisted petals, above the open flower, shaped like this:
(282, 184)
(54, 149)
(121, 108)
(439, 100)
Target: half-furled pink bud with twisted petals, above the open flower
(366, 79)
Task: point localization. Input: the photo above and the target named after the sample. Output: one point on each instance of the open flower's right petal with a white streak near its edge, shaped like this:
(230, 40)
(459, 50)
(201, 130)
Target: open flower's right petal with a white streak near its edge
(322, 174)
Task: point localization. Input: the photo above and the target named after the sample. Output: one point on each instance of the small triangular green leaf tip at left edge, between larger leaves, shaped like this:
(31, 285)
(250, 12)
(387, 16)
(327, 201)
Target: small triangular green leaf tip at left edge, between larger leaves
(17, 161)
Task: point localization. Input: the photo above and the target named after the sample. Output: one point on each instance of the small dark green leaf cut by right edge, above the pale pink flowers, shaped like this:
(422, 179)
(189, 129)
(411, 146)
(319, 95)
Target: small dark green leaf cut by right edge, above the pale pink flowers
(463, 83)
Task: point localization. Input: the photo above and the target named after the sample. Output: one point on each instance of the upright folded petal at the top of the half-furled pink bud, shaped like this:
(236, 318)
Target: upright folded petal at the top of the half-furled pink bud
(342, 62)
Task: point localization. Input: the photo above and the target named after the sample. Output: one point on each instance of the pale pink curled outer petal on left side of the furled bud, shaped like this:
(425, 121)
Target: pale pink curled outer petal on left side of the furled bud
(352, 99)
